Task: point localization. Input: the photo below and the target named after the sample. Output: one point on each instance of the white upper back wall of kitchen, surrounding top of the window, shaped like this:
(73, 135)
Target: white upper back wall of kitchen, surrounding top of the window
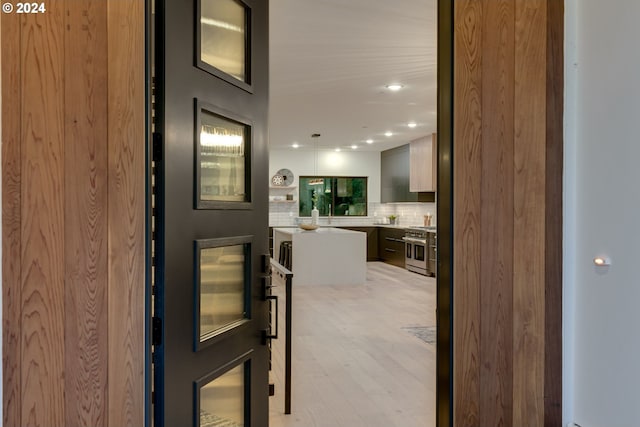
(343, 163)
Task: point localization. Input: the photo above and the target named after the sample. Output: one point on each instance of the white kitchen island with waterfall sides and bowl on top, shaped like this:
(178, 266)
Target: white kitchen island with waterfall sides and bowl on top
(326, 256)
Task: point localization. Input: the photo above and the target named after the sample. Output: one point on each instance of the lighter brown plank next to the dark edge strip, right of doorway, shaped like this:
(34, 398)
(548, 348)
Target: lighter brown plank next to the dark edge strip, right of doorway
(529, 210)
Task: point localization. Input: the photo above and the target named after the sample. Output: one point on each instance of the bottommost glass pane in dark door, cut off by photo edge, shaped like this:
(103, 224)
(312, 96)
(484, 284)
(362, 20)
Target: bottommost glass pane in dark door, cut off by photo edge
(222, 400)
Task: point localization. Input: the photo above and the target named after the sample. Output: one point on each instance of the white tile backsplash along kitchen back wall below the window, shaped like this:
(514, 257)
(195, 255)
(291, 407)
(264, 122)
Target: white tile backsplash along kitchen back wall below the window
(408, 214)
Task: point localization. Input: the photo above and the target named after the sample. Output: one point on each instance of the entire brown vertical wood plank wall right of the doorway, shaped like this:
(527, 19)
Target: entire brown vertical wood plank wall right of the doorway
(507, 212)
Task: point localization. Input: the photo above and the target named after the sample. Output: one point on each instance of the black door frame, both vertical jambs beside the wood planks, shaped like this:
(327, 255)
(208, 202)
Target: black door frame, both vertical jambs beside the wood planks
(444, 279)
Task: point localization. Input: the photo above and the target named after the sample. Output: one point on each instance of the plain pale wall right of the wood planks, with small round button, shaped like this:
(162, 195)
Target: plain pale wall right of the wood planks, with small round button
(602, 208)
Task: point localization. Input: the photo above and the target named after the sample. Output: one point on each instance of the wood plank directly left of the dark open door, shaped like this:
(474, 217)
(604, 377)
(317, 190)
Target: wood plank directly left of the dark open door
(126, 212)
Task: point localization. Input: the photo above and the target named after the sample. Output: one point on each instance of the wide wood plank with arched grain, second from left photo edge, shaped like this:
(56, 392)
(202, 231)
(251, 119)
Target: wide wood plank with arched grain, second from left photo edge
(43, 217)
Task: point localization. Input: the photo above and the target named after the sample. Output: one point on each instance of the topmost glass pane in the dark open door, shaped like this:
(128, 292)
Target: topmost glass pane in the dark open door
(222, 36)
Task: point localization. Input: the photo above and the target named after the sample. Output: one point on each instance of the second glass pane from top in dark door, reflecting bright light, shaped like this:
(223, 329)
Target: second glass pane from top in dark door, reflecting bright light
(222, 159)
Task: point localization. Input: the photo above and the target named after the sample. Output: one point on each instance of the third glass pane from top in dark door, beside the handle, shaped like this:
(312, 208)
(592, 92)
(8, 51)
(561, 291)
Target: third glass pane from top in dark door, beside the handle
(222, 288)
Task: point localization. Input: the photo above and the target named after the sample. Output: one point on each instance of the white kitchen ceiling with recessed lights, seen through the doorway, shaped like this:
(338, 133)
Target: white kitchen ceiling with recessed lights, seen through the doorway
(330, 61)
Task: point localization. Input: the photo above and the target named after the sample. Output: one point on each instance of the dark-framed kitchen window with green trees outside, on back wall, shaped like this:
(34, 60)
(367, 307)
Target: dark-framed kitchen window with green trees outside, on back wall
(331, 195)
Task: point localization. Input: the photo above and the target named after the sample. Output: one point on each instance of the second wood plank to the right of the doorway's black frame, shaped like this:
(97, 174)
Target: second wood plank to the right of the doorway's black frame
(496, 403)
